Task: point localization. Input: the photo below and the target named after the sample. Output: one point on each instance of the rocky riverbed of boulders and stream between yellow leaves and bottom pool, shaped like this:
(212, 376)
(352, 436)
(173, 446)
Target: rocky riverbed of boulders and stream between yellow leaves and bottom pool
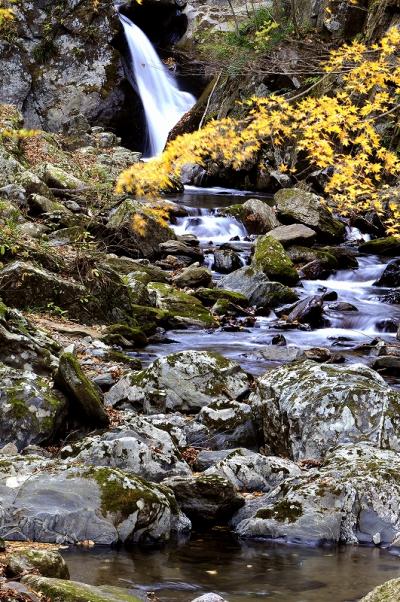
(206, 361)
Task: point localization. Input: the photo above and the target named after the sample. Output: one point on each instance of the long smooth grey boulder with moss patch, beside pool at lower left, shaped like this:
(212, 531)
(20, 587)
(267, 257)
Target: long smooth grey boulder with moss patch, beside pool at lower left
(60, 502)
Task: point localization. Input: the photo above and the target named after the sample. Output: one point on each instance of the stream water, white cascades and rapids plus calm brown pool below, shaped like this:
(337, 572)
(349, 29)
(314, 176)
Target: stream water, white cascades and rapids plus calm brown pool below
(243, 571)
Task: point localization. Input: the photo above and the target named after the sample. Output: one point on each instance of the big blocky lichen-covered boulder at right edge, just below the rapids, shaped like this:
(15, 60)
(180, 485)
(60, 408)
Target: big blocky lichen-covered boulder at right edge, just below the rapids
(308, 408)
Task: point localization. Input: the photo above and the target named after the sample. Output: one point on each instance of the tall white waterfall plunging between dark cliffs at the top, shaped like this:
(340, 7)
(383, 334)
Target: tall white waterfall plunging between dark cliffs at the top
(164, 104)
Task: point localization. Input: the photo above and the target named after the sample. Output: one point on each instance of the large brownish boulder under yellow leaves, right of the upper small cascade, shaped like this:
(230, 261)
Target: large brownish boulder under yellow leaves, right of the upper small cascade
(298, 206)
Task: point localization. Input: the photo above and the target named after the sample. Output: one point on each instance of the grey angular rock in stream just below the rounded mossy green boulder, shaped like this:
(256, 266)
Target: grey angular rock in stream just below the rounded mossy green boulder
(257, 288)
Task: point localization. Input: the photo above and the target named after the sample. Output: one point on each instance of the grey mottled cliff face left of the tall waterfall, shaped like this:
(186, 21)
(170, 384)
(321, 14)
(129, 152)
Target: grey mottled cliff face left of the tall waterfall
(59, 63)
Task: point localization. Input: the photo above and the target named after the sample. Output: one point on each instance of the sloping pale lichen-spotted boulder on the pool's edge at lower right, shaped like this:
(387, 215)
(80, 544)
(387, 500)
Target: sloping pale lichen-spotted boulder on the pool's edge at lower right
(352, 498)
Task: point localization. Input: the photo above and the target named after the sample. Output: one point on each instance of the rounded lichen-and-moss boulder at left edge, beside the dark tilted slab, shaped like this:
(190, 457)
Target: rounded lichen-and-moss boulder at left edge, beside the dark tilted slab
(31, 412)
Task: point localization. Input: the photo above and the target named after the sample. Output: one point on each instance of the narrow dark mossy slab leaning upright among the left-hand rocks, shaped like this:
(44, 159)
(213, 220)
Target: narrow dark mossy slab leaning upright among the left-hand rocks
(86, 398)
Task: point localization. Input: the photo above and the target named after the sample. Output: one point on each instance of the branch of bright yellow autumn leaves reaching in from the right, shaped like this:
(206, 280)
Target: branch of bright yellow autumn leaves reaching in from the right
(336, 131)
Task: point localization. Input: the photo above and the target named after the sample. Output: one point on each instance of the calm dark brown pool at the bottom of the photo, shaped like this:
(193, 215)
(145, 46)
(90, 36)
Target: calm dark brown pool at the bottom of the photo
(239, 571)
